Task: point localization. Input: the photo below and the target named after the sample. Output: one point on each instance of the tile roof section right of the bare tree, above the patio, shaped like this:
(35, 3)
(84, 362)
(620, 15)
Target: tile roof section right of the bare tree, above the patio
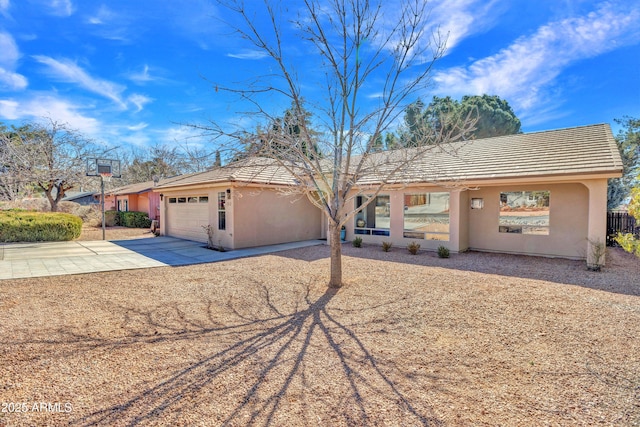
(572, 151)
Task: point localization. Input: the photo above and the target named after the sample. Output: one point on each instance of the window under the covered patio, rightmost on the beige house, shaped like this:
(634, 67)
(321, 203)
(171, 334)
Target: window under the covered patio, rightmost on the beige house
(524, 212)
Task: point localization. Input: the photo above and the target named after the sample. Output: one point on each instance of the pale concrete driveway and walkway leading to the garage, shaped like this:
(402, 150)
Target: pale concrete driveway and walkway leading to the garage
(21, 260)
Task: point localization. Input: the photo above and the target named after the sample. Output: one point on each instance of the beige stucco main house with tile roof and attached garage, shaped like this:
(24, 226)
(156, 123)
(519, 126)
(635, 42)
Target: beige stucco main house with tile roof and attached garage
(542, 193)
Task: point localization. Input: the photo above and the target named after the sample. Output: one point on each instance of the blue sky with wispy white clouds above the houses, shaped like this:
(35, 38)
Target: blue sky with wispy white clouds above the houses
(128, 72)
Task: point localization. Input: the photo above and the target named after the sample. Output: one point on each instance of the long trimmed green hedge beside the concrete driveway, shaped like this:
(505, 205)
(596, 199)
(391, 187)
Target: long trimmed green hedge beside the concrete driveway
(17, 226)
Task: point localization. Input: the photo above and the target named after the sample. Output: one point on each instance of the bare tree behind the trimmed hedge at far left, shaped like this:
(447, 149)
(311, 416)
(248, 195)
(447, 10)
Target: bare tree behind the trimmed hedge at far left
(48, 156)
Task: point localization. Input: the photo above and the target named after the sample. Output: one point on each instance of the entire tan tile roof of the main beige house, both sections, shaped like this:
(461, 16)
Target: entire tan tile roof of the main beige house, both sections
(573, 151)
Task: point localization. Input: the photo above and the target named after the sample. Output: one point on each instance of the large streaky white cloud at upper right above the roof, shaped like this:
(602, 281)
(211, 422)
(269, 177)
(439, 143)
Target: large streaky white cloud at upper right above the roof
(524, 72)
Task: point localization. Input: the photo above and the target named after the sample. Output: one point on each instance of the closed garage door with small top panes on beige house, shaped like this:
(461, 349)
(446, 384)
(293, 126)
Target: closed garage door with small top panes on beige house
(186, 215)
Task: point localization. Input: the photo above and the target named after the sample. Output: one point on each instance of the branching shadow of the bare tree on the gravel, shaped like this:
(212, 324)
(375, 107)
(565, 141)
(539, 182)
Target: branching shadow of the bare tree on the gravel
(267, 365)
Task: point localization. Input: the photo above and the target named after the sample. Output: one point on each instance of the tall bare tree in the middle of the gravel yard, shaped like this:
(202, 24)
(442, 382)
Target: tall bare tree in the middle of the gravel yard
(363, 47)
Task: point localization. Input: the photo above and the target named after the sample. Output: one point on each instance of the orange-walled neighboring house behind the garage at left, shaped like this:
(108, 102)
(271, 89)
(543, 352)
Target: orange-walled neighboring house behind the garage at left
(137, 197)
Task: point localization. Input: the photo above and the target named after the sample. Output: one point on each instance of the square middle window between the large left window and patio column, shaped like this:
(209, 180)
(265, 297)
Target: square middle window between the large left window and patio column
(426, 216)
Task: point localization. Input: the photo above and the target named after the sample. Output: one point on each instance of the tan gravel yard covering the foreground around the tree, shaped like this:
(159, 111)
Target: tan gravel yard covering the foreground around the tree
(477, 339)
